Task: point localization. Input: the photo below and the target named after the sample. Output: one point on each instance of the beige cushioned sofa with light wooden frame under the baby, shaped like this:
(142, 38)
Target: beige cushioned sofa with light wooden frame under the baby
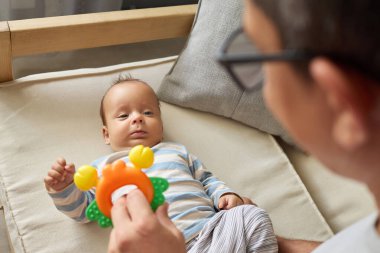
(47, 115)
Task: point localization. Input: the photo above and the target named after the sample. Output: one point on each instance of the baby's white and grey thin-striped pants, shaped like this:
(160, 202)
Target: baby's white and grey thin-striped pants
(245, 228)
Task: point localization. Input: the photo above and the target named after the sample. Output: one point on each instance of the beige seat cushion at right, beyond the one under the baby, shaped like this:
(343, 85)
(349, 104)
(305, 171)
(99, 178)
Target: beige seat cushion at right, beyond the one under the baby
(340, 200)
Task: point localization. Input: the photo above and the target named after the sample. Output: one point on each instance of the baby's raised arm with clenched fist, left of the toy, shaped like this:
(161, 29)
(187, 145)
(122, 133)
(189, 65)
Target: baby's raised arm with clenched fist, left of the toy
(66, 196)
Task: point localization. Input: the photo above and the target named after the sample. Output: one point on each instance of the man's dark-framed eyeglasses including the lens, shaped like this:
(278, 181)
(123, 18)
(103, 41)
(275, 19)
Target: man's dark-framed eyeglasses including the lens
(238, 55)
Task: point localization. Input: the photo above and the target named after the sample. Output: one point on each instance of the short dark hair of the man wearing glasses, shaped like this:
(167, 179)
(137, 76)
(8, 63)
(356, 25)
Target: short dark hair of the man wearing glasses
(346, 31)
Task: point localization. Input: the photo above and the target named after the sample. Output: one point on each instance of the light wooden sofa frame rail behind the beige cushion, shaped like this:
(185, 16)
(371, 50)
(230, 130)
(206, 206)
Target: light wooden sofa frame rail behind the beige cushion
(64, 33)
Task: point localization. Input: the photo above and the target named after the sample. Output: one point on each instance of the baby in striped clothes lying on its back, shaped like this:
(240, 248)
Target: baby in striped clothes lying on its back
(204, 208)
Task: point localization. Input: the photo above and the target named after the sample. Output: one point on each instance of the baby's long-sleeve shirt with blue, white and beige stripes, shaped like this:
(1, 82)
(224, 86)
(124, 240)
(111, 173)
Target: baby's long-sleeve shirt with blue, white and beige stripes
(193, 192)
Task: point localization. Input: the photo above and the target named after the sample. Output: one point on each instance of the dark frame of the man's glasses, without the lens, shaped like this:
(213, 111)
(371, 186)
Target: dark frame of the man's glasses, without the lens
(228, 60)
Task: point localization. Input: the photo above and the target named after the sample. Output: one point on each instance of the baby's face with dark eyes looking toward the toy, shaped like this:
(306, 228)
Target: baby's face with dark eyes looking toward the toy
(132, 116)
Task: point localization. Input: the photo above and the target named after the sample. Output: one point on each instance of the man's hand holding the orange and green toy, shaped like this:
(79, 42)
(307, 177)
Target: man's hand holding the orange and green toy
(138, 229)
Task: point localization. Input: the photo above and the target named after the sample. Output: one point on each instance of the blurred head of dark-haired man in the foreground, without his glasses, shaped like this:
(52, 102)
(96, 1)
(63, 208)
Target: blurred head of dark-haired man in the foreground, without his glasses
(329, 104)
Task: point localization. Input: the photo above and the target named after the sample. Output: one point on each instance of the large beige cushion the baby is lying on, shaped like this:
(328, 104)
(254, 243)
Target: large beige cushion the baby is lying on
(50, 115)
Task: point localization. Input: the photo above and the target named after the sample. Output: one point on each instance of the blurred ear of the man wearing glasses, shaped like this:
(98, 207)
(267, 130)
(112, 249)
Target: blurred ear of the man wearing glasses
(348, 98)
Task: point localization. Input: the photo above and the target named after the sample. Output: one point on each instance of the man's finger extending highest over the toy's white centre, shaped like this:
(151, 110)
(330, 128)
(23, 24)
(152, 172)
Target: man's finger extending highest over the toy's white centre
(137, 205)
